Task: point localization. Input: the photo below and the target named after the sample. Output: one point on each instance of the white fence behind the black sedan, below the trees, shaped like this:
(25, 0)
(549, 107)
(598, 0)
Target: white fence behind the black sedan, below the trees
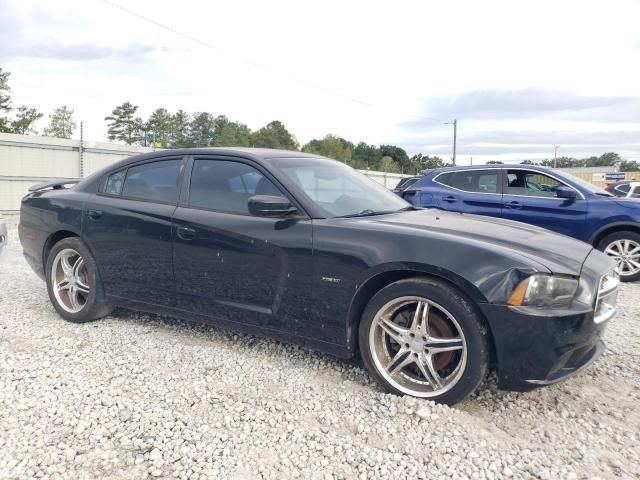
(28, 159)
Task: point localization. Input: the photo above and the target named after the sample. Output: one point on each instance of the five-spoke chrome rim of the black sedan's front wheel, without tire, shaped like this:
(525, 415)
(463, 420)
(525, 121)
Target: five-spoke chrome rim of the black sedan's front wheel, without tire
(418, 346)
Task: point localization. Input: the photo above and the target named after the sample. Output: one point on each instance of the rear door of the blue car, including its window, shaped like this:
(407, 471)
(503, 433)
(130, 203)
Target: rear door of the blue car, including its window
(475, 191)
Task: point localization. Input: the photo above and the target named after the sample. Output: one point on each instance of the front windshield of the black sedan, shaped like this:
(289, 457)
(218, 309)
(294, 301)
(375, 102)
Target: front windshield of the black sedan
(338, 189)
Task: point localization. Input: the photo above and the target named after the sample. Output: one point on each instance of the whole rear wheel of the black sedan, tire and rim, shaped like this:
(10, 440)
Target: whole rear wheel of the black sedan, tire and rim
(73, 282)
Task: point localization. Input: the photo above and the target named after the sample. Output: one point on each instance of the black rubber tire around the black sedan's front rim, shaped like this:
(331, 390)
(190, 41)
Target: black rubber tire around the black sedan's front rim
(474, 333)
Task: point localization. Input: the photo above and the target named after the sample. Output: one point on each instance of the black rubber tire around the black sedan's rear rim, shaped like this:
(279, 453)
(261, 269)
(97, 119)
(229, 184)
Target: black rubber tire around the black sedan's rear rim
(94, 306)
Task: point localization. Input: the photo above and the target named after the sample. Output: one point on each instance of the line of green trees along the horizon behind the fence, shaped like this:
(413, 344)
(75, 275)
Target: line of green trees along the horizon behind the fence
(180, 129)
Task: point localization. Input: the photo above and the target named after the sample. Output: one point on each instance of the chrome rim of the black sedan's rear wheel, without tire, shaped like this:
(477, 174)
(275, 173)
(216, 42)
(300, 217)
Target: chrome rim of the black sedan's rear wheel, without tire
(70, 280)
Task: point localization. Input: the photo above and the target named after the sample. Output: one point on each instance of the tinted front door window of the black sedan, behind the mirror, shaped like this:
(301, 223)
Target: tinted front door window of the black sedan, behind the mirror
(227, 186)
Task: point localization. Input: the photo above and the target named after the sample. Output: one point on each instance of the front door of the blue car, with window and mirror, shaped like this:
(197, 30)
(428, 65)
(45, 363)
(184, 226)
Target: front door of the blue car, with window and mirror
(529, 196)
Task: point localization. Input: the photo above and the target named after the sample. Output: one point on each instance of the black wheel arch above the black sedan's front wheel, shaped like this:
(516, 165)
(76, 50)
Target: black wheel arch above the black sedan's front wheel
(379, 280)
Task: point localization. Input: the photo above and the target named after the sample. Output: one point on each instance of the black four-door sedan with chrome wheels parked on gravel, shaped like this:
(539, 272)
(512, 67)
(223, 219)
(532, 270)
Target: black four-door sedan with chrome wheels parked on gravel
(307, 250)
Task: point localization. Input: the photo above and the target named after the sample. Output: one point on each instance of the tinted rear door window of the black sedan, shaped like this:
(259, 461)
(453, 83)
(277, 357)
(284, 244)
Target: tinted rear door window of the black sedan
(156, 181)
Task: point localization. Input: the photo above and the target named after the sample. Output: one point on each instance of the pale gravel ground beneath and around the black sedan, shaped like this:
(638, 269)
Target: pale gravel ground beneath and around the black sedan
(137, 395)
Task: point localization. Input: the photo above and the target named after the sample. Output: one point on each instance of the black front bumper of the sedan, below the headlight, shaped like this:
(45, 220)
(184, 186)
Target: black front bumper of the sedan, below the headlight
(536, 348)
